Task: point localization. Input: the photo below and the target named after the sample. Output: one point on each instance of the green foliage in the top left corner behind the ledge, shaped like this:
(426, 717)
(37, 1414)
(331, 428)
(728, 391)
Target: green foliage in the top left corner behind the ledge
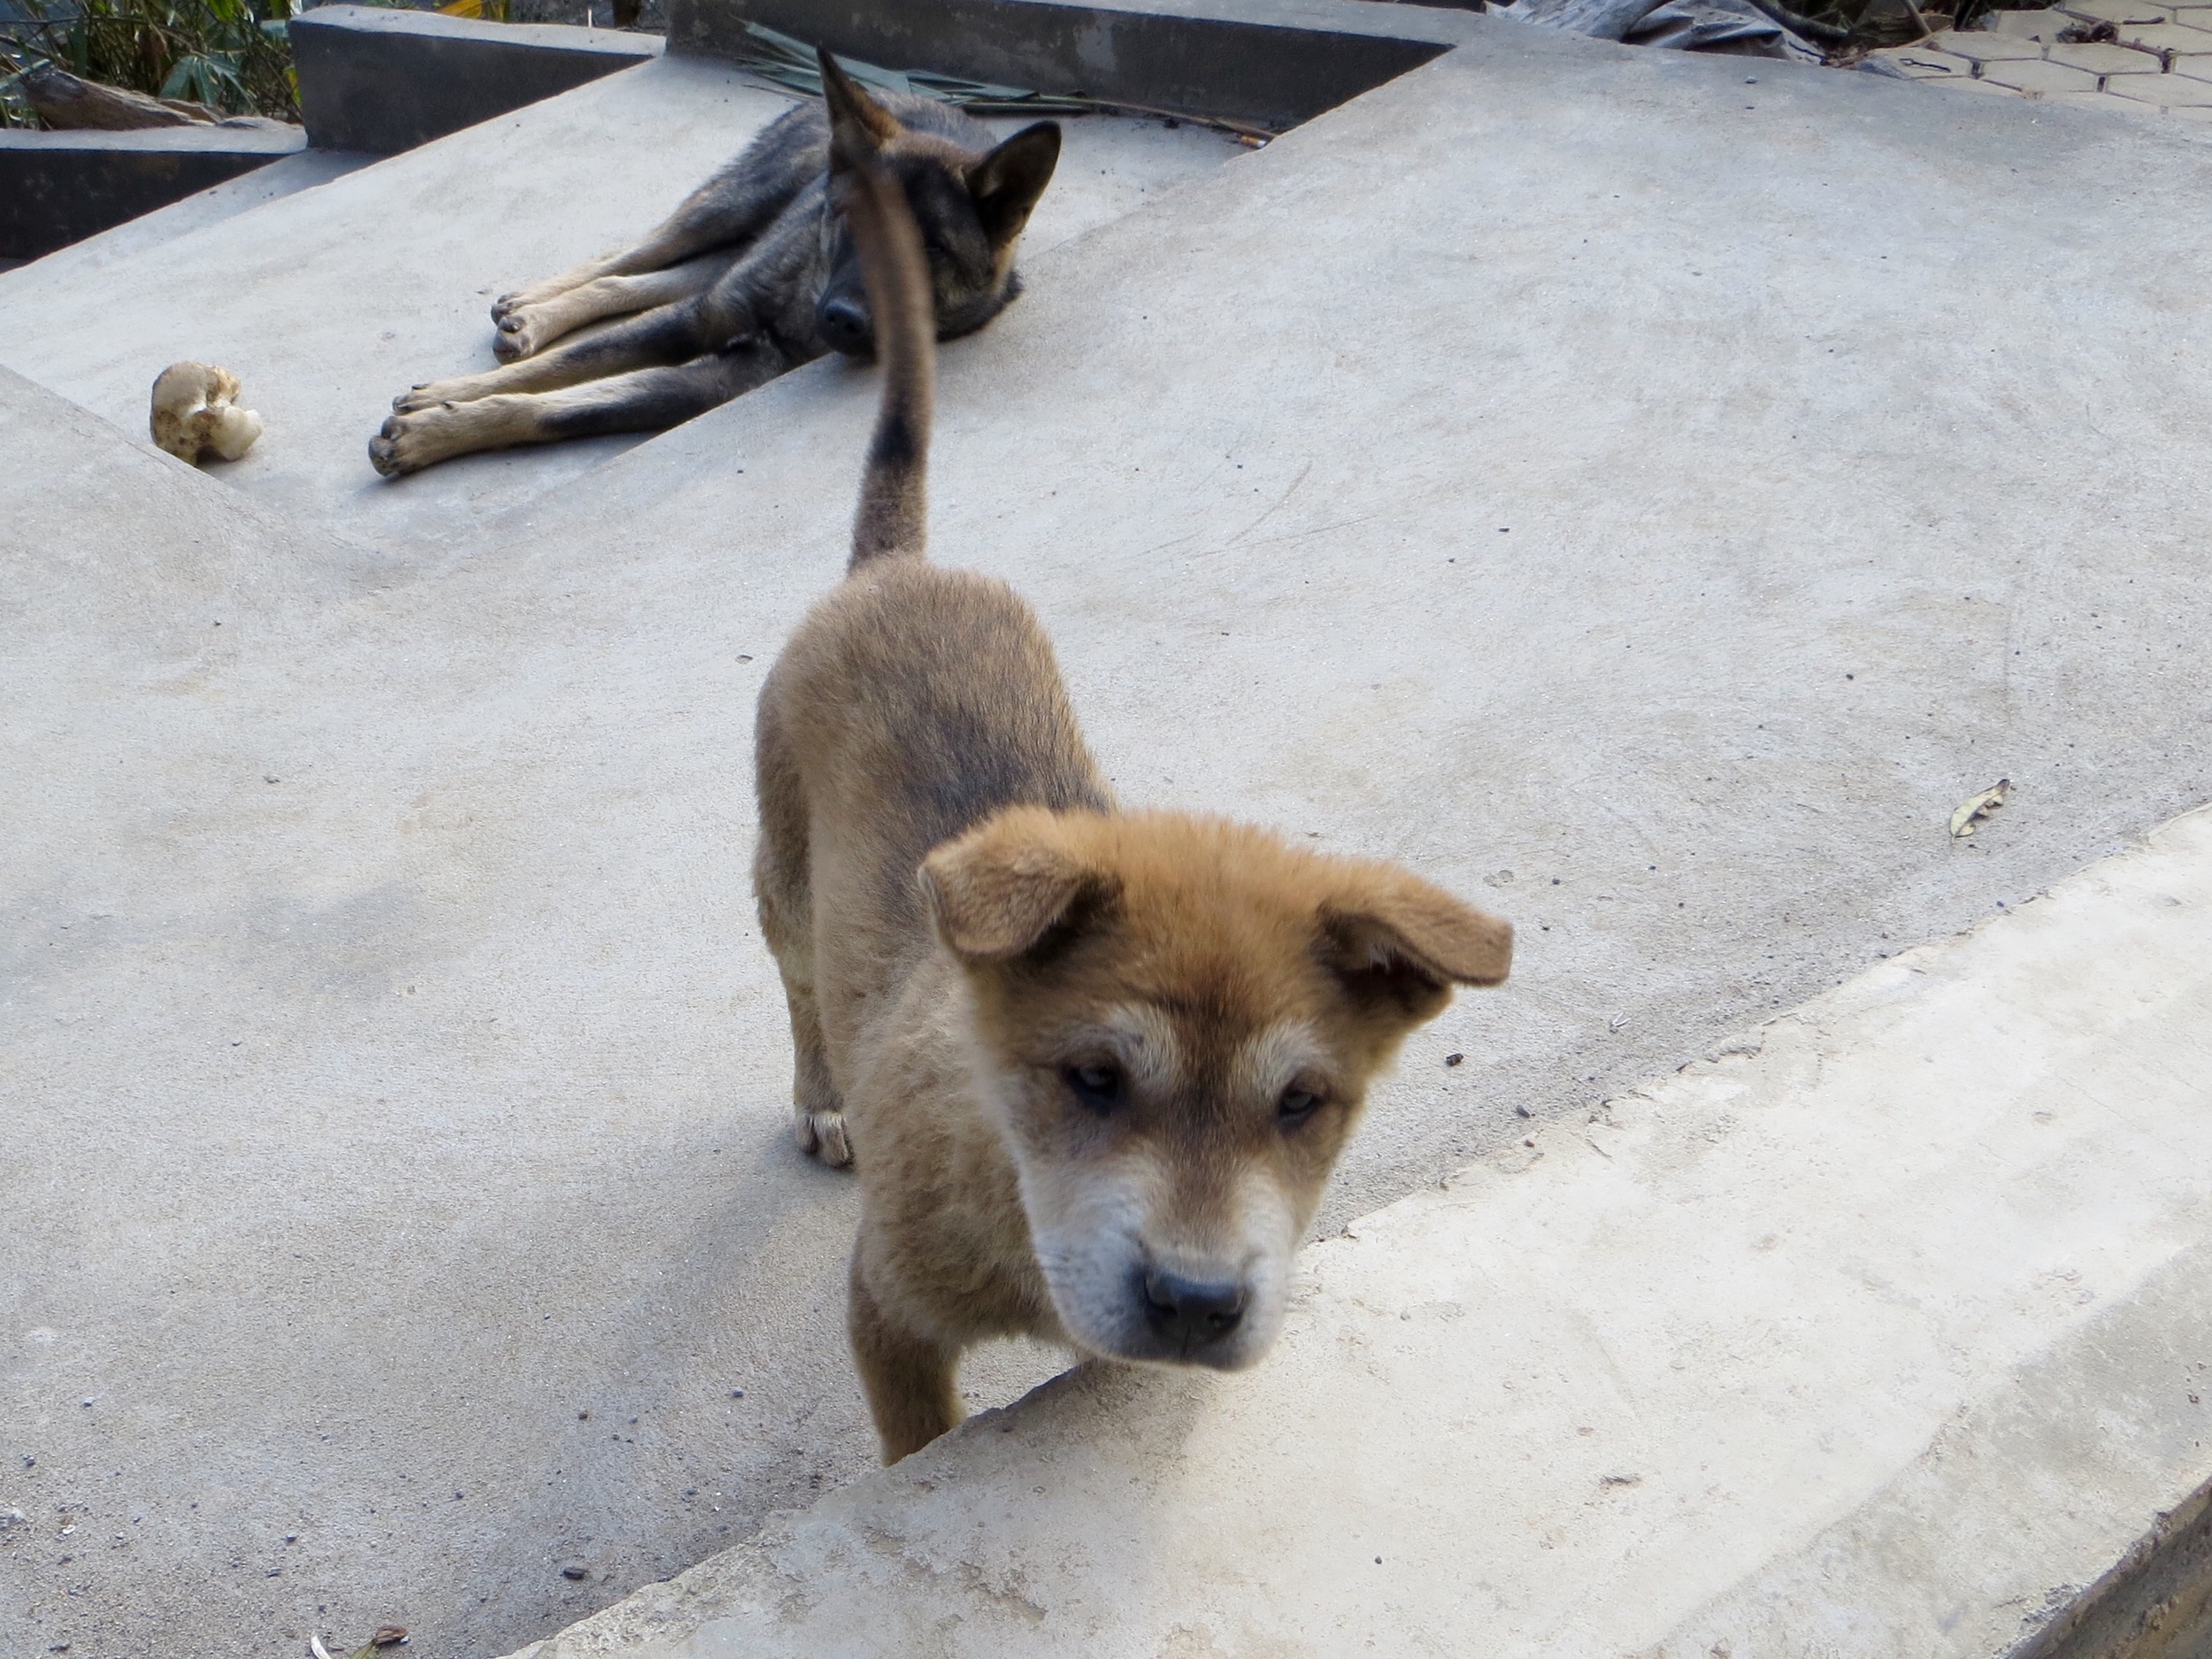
(229, 54)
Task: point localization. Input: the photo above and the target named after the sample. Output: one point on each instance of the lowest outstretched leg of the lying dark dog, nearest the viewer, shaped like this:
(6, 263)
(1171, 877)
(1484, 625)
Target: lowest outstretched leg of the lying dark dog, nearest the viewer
(640, 401)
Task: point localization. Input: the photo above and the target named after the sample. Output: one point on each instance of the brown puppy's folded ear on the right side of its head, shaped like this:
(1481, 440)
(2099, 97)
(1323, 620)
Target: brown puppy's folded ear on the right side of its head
(1397, 939)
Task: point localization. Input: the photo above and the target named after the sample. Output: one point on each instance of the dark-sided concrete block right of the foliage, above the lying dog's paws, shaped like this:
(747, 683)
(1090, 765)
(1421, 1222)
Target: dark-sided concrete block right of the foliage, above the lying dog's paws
(390, 81)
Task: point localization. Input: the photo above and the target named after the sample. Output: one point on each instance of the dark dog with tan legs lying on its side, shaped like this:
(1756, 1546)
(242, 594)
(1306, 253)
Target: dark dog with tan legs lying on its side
(751, 278)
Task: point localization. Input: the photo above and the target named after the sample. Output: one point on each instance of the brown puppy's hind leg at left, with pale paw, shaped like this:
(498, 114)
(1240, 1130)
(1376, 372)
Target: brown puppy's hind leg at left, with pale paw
(784, 893)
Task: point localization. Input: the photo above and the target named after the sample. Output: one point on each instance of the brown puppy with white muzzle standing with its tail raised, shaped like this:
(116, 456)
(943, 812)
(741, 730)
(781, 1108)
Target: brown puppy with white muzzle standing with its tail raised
(1092, 1065)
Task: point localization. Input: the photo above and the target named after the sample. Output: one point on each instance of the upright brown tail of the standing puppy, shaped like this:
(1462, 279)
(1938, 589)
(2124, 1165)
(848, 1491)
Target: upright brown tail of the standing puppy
(895, 494)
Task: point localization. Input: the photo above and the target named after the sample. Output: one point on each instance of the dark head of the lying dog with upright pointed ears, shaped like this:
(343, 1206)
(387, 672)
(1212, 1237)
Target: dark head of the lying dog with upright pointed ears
(970, 207)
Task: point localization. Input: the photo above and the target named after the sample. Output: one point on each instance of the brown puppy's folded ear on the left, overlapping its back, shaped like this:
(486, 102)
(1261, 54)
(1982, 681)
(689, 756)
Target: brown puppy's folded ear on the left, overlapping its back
(1005, 886)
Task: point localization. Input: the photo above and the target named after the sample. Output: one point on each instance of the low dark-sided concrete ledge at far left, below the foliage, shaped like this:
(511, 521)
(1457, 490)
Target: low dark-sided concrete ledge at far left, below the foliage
(63, 187)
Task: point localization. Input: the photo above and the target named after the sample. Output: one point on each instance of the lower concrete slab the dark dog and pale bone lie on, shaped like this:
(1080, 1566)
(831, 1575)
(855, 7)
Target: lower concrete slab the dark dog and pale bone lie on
(331, 304)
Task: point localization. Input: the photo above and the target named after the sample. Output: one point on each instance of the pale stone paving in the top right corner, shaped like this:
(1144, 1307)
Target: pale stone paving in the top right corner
(2120, 56)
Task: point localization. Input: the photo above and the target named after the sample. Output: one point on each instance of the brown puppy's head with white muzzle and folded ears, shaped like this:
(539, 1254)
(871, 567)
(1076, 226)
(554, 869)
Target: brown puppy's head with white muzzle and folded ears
(1176, 1023)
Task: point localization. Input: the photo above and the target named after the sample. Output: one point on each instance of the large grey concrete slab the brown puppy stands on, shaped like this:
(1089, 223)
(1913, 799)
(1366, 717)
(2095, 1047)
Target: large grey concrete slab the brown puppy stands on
(1563, 466)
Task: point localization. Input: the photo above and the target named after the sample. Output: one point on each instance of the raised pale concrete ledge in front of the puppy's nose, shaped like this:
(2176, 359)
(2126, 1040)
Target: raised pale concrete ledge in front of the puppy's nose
(1870, 1342)
